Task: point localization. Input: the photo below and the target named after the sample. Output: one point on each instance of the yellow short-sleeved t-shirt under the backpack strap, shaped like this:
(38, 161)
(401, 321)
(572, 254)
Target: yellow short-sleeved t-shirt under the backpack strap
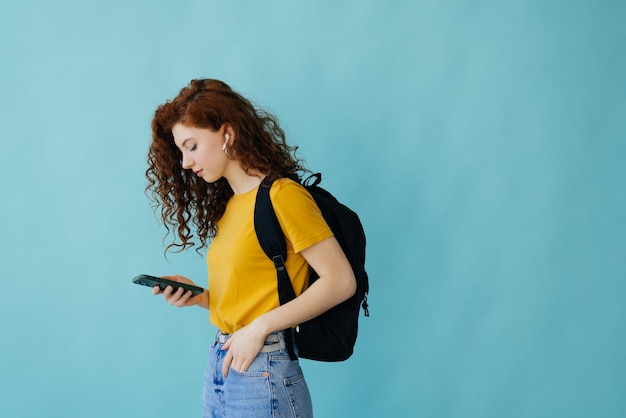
(242, 279)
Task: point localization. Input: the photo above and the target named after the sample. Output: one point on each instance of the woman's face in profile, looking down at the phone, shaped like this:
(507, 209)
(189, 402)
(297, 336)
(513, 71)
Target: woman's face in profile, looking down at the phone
(202, 151)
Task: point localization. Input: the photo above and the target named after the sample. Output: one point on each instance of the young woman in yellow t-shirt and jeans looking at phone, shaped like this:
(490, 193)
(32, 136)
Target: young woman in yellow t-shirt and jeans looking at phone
(210, 150)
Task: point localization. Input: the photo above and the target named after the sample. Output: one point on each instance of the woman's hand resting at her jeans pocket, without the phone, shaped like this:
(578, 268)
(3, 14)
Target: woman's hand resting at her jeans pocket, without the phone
(243, 347)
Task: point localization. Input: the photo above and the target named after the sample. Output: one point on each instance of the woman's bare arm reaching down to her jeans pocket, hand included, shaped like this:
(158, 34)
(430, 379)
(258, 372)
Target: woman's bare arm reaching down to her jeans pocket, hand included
(336, 283)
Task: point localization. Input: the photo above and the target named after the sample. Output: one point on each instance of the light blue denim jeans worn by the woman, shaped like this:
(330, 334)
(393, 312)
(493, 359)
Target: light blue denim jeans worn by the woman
(273, 386)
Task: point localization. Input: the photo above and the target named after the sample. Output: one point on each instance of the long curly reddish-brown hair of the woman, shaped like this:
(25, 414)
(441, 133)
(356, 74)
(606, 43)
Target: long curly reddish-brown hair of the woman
(187, 202)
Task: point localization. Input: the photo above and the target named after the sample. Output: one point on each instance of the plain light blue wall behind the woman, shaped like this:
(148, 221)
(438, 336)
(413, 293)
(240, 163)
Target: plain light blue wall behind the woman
(481, 142)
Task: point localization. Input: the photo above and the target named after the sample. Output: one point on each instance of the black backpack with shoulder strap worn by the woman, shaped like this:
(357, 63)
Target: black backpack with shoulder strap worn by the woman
(332, 335)
